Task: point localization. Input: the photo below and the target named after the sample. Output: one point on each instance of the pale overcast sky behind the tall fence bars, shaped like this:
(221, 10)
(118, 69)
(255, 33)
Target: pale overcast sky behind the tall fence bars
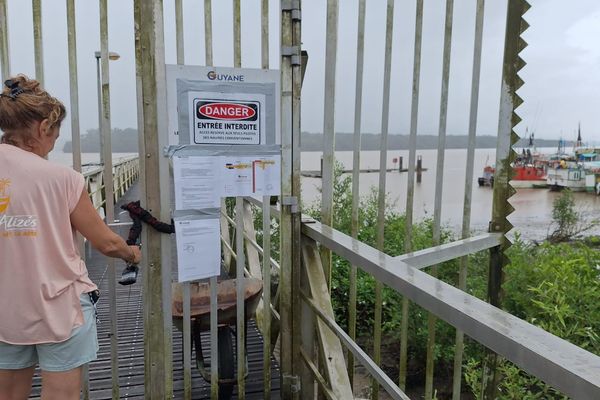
(562, 76)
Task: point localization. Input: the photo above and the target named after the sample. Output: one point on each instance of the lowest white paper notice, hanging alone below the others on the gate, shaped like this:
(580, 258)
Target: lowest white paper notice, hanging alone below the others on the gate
(198, 248)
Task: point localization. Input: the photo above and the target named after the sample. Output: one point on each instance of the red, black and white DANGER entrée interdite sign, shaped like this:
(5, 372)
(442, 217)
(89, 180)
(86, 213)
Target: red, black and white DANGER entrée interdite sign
(227, 121)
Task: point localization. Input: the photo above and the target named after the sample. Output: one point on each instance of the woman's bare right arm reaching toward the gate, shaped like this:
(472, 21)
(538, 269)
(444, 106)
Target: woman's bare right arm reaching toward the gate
(86, 220)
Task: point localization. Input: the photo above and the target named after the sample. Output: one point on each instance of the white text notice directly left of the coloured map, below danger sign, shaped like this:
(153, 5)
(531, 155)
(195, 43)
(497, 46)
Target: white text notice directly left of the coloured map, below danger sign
(196, 183)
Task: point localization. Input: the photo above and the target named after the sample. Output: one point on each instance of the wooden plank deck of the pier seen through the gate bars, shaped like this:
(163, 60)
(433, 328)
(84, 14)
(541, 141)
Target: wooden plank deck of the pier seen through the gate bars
(131, 344)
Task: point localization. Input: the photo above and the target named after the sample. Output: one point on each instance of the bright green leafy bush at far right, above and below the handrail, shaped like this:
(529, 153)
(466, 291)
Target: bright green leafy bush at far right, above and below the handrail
(557, 288)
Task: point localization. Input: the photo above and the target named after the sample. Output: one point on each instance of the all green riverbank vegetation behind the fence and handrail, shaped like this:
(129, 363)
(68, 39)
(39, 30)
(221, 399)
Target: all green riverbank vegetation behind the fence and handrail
(553, 286)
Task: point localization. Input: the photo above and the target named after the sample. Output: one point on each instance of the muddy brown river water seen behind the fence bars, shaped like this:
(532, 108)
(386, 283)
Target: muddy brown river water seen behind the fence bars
(533, 207)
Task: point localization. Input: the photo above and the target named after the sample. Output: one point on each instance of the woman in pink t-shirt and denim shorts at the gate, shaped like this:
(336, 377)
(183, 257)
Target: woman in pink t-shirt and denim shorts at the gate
(47, 316)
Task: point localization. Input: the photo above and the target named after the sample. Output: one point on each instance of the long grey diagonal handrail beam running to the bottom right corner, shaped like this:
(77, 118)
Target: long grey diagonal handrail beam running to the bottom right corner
(568, 368)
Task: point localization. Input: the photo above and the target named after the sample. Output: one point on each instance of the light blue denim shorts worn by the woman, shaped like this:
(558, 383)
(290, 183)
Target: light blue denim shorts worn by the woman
(79, 349)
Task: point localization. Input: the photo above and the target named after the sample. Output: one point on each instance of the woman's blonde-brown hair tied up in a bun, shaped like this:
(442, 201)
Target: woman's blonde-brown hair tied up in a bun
(22, 105)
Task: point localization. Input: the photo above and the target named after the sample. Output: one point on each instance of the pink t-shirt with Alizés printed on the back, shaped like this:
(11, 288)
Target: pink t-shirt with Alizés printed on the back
(41, 272)
